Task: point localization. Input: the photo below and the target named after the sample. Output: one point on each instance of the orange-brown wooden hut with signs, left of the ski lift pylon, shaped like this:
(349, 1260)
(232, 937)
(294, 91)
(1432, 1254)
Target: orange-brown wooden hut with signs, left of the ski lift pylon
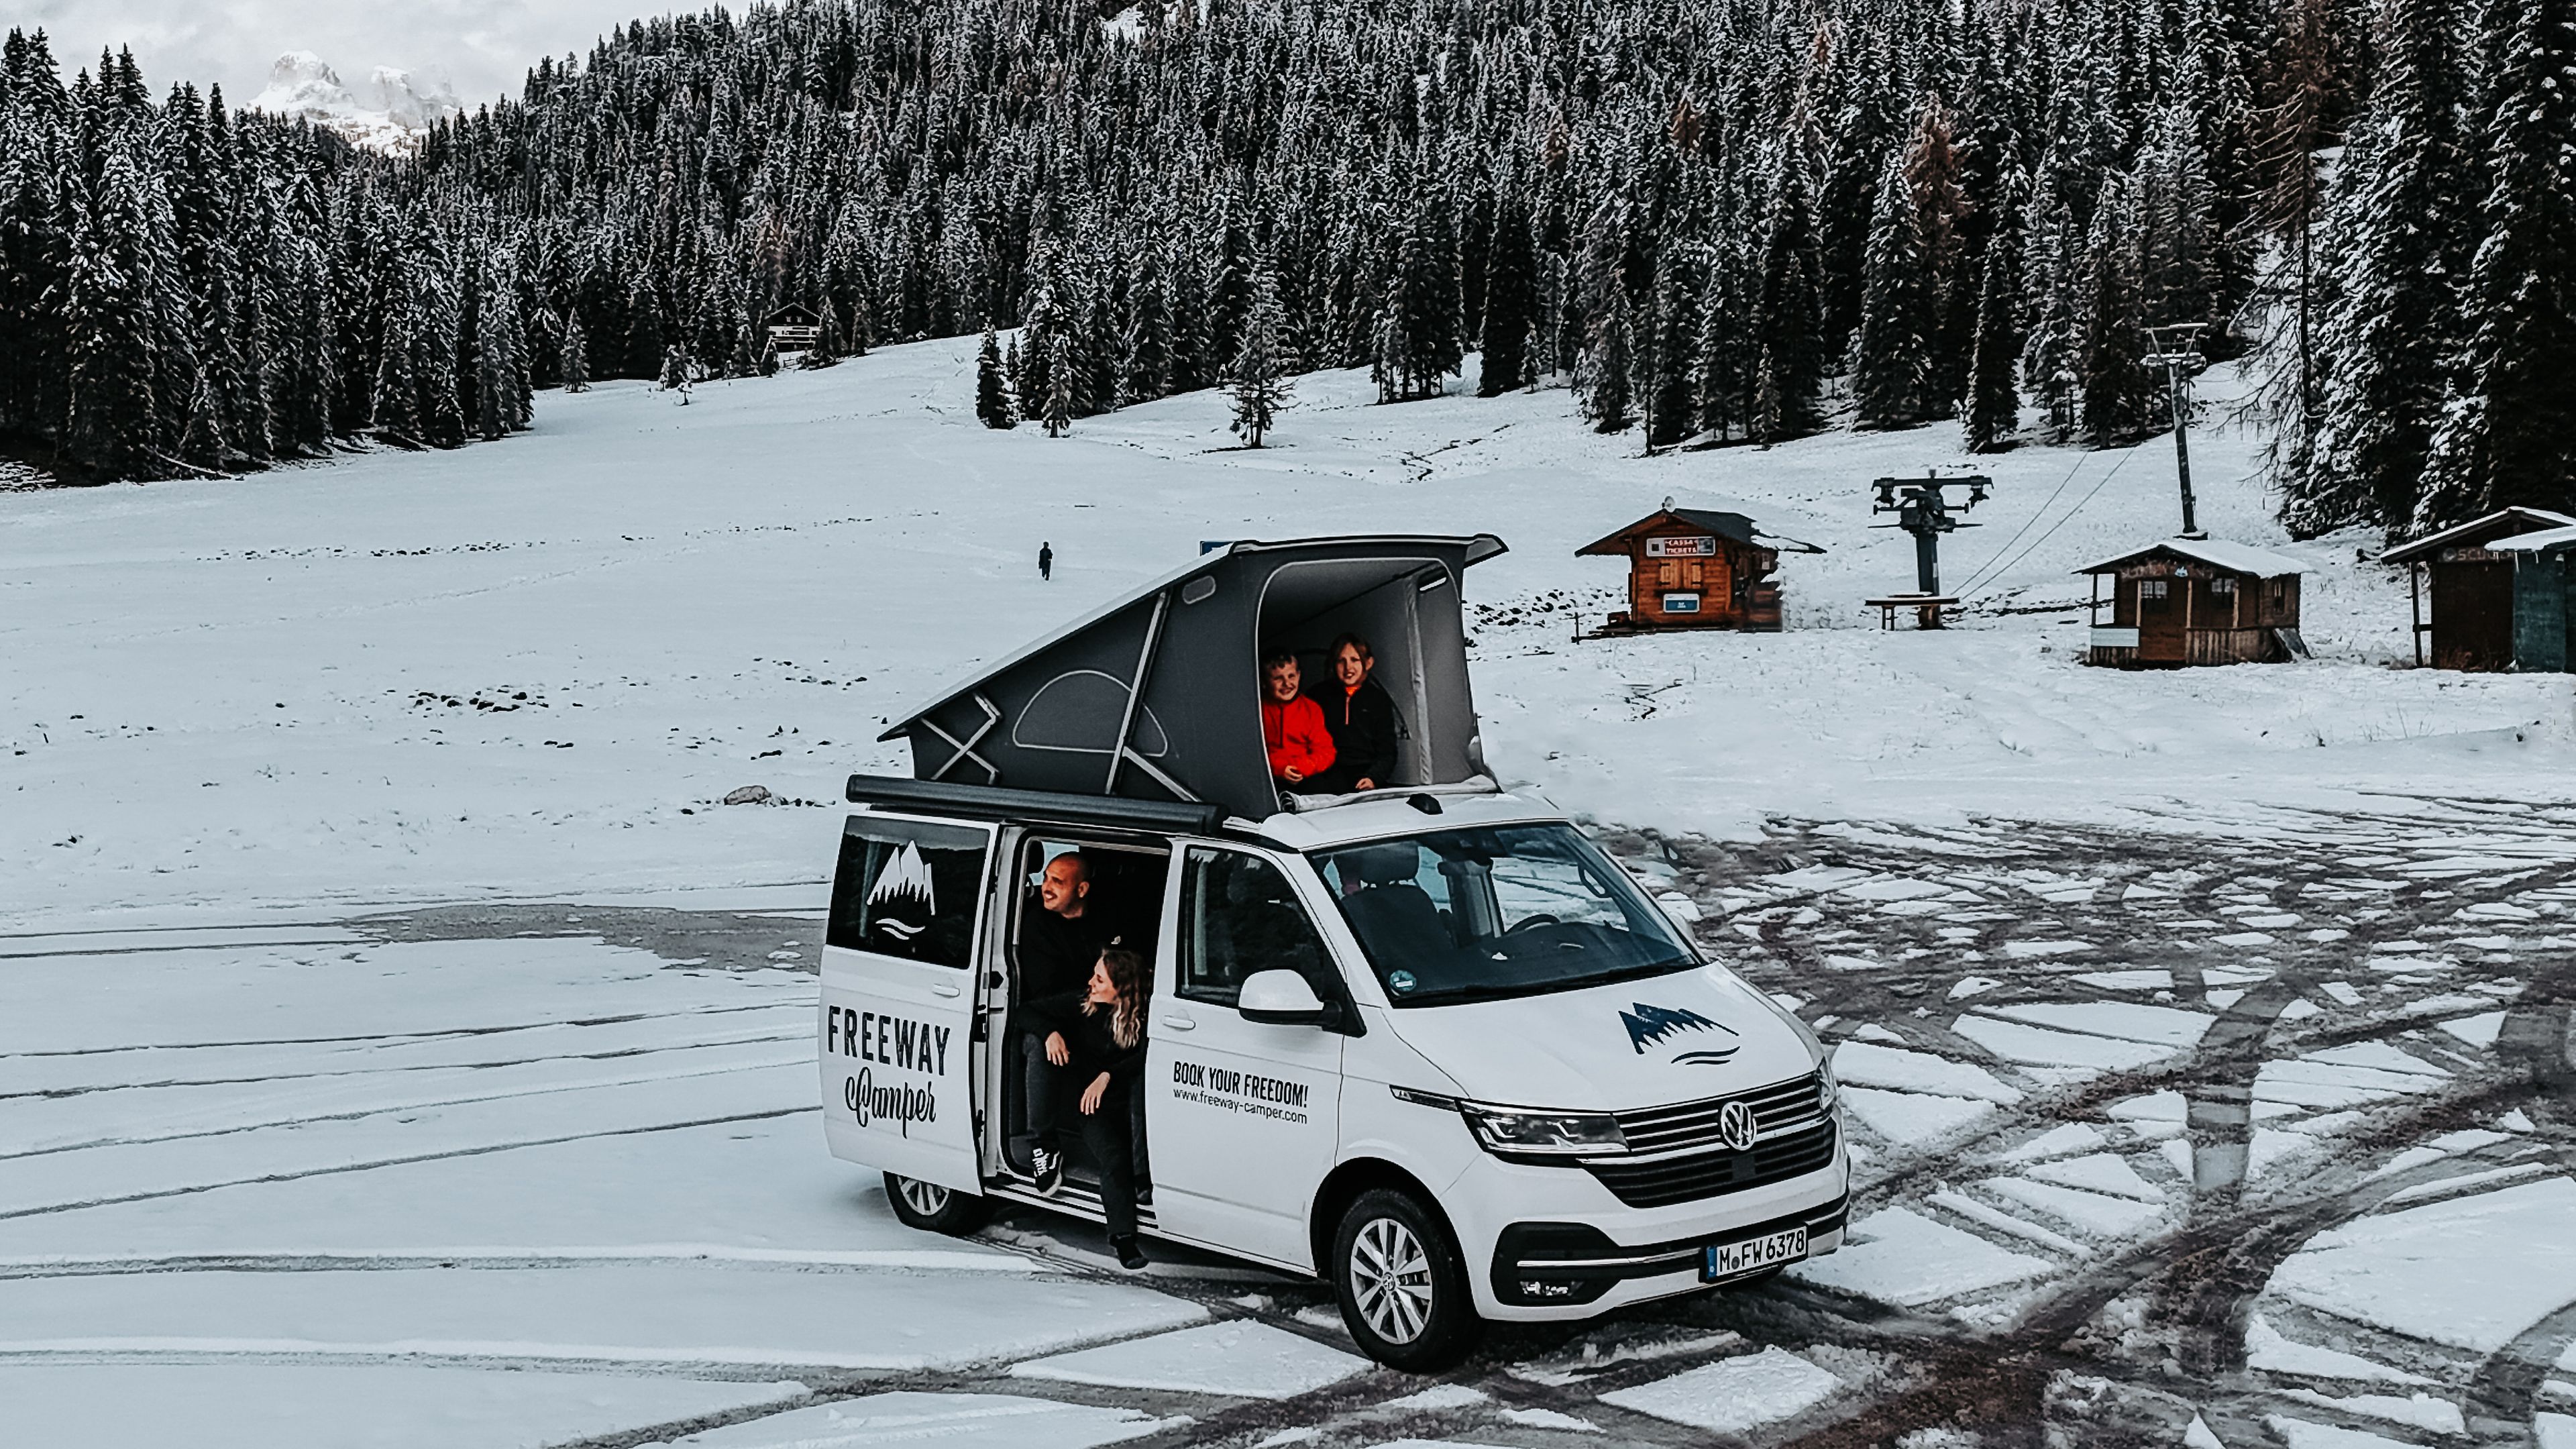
(1696, 569)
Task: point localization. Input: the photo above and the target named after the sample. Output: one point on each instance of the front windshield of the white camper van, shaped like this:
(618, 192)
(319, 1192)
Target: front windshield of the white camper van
(1498, 911)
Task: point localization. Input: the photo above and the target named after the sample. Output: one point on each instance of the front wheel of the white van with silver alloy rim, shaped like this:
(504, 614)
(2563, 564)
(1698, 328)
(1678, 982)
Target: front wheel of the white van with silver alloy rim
(1403, 1285)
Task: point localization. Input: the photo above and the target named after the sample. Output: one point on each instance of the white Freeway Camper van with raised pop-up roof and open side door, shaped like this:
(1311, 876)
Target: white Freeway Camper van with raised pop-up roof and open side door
(1426, 1043)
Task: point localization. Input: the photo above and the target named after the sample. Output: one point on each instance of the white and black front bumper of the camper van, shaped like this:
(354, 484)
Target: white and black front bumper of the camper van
(1588, 1254)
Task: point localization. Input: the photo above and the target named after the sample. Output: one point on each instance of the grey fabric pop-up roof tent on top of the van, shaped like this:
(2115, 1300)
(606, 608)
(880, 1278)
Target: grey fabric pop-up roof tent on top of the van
(1158, 695)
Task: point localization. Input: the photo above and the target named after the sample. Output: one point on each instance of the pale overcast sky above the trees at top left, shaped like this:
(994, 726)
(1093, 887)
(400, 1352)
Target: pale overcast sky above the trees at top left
(483, 48)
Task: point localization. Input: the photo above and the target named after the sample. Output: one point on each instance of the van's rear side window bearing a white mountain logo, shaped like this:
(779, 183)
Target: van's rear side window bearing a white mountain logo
(908, 891)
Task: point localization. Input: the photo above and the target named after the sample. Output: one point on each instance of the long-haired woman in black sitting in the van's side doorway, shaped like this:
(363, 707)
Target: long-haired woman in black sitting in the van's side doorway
(1096, 1043)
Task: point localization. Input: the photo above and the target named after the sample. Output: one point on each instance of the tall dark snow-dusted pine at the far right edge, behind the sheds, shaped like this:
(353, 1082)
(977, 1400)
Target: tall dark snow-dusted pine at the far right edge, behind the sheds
(2508, 432)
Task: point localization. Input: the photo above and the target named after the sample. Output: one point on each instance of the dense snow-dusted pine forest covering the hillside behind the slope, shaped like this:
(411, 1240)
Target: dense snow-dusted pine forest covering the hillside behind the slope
(1722, 220)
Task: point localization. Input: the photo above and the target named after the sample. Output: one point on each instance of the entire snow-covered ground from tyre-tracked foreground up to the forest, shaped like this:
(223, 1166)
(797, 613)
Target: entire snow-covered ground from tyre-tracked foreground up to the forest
(403, 1045)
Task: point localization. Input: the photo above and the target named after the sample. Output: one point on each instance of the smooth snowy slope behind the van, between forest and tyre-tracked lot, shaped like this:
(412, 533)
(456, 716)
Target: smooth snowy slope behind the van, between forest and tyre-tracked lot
(529, 669)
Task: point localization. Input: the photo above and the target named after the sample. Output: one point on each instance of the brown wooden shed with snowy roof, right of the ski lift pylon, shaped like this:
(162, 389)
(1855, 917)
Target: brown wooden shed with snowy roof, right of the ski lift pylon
(2196, 602)
